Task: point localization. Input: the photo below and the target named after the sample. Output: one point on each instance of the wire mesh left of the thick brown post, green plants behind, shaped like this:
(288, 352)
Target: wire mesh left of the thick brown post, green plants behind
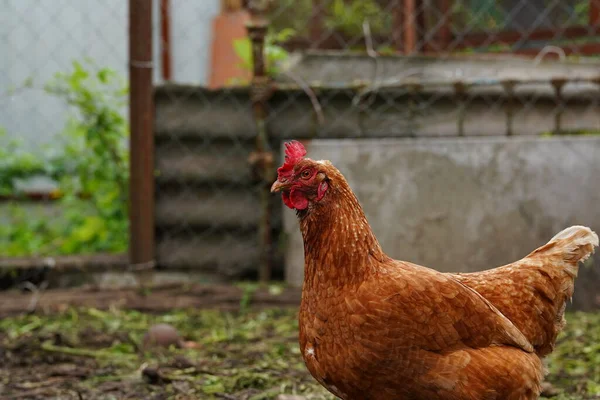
(64, 135)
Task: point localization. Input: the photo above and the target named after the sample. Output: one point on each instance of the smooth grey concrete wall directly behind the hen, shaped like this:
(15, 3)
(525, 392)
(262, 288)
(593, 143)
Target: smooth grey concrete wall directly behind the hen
(466, 204)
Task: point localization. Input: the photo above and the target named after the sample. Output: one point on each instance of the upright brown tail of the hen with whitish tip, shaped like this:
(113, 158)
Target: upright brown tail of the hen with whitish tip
(533, 291)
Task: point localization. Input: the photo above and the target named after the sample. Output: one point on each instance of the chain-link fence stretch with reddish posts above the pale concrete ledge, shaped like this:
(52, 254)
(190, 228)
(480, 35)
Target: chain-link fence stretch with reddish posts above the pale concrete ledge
(440, 26)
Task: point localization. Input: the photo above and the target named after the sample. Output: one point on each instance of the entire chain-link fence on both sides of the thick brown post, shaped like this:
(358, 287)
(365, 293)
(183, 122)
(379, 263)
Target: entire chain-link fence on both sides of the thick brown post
(336, 69)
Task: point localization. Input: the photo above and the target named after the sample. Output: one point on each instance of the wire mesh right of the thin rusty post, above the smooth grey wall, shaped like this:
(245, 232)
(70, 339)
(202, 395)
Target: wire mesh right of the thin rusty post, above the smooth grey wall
(425, 69)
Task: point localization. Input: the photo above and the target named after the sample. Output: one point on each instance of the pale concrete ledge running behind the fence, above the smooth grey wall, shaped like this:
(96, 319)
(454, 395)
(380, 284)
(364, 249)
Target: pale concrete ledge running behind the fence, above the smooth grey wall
(331, 67)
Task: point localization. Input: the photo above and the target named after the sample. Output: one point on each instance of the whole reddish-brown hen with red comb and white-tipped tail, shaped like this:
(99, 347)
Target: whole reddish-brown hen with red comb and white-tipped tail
(376, 328)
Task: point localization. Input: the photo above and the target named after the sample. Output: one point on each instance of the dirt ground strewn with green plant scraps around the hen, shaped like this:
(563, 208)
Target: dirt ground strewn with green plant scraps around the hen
(246, 349)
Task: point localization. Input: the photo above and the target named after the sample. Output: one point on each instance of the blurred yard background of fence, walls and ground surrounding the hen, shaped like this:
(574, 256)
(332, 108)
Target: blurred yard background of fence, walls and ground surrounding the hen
(138, 142)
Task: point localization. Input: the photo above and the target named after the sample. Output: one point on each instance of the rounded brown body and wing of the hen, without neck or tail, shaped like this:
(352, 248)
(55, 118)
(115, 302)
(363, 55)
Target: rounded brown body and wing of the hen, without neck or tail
(408, 333)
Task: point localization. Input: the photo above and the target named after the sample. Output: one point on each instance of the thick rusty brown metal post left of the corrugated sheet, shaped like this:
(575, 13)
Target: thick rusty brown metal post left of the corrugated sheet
(141, 119)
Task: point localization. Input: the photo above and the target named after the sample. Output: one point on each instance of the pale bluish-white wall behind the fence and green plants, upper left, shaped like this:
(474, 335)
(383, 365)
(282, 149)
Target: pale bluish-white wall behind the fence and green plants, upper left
(41, 37)
